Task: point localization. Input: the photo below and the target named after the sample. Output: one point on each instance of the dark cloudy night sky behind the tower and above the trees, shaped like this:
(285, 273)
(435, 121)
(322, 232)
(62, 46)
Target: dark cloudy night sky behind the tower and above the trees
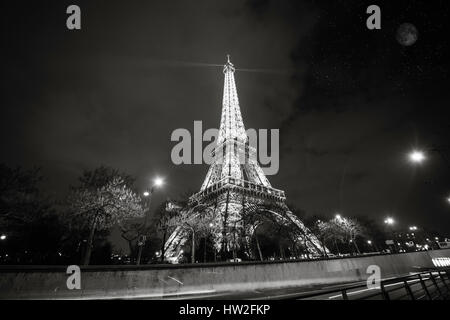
(350, 102)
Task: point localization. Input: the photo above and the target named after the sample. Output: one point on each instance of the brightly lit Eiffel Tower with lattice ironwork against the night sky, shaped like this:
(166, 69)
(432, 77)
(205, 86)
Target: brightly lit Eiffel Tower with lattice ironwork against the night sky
(236, 189)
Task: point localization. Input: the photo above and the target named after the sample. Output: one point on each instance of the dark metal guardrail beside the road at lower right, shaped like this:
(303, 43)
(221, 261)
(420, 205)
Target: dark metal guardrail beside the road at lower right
(430, 285)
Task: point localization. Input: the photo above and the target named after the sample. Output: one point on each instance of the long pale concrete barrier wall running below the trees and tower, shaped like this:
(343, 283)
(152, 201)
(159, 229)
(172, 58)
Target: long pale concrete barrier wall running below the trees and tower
(165, 280)
